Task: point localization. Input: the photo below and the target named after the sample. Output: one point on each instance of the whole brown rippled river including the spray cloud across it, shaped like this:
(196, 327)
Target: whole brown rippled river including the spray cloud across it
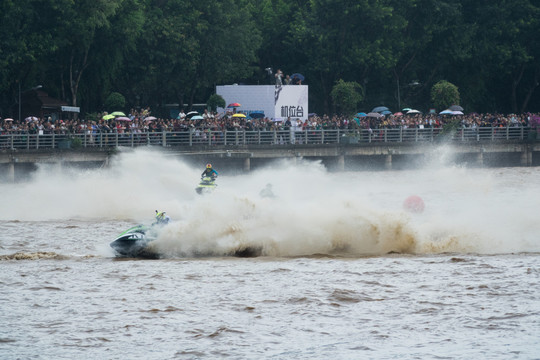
(345, 270)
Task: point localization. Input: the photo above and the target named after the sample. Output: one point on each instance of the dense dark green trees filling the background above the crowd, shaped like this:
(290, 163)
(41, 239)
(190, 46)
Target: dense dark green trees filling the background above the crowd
(157, 52)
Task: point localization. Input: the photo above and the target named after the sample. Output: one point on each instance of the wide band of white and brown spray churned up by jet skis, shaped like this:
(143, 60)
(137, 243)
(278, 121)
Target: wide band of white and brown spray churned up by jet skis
(314, 212)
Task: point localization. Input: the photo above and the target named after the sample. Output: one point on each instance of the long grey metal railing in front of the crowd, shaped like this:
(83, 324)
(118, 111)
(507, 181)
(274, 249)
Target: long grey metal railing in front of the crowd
(252, 138)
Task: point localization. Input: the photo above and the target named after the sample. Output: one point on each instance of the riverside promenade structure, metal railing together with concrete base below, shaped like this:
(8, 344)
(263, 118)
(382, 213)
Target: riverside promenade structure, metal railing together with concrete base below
(241, 151)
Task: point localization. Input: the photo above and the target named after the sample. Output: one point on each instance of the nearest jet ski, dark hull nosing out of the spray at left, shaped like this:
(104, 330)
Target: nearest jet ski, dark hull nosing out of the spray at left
(134, 243)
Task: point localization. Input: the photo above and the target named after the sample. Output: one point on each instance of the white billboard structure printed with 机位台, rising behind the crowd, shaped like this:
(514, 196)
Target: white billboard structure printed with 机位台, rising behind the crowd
(277, 102)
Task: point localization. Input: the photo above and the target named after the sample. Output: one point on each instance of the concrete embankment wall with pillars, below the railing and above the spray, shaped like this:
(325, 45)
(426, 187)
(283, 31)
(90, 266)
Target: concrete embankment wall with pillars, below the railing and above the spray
(18, 165)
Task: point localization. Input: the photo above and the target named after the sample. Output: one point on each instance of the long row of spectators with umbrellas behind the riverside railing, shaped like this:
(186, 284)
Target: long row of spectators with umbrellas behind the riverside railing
(142, 122)
